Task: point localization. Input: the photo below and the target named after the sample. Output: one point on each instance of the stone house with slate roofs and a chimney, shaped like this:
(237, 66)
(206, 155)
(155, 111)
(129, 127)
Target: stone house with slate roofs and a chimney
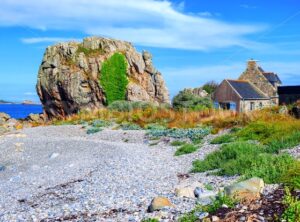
(254, 89)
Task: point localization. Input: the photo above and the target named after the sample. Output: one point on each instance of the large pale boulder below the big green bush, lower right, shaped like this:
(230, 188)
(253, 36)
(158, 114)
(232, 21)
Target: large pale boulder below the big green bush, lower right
(246, 190)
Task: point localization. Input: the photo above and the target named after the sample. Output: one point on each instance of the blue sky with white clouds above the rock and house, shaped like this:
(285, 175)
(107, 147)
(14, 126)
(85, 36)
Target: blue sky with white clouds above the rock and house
(192, 41)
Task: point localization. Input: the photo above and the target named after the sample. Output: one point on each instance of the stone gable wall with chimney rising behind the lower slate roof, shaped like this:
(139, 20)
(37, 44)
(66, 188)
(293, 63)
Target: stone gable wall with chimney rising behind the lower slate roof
(254, 75)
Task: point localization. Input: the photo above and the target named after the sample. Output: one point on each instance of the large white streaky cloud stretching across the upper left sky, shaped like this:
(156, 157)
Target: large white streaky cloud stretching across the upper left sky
(145, 22)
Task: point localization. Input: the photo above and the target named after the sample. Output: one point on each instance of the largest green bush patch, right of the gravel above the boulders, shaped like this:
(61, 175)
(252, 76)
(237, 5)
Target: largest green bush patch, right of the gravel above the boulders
(247, 159)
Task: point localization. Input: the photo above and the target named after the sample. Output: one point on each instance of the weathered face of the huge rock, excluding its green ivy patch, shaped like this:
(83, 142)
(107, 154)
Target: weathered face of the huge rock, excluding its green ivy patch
(68, 79)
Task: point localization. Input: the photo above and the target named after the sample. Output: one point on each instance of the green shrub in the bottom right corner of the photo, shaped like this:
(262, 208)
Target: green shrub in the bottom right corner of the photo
(292, 205)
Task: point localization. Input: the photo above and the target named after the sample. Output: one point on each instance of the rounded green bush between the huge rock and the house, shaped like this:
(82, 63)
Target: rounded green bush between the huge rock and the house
(187, 100)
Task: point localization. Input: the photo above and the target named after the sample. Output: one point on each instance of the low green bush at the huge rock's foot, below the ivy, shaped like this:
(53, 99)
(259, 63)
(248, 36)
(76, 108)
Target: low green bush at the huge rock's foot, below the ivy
(127, 106)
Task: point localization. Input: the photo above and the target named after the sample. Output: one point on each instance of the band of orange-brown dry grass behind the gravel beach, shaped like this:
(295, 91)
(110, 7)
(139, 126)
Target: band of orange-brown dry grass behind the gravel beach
(218, 119)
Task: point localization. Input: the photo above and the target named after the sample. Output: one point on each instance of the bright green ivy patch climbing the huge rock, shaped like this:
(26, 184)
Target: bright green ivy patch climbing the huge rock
(113, 78)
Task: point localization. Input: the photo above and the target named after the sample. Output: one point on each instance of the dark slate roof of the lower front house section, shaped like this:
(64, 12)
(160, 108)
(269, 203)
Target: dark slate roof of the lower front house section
(246, 90)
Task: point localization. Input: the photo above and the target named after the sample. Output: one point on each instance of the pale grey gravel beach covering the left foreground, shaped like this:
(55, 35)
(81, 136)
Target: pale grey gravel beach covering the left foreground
(59, 173)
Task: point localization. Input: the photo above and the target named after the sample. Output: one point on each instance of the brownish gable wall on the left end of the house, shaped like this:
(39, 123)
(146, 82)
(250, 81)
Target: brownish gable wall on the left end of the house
(224, 93)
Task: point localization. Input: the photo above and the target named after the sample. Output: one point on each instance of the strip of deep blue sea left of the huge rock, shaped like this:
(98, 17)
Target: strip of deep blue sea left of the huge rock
(19, 111)
